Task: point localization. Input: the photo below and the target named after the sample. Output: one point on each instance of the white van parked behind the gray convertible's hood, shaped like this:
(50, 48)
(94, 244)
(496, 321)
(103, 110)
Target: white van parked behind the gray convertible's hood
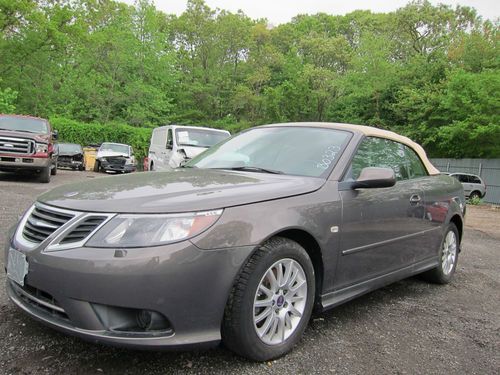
(172, 144)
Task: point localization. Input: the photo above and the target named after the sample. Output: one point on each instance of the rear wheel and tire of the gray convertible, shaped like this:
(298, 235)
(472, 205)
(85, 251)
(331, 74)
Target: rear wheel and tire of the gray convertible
(448, 257)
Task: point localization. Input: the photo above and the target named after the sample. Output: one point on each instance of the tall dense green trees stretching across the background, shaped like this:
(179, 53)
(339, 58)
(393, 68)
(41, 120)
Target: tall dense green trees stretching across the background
(431, 72)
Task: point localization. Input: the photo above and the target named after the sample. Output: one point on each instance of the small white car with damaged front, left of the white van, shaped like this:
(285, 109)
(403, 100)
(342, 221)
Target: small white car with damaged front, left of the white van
(116, 157)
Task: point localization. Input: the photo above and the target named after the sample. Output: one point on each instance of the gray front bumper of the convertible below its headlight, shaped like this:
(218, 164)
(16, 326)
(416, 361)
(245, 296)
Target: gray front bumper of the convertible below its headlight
(186, 285)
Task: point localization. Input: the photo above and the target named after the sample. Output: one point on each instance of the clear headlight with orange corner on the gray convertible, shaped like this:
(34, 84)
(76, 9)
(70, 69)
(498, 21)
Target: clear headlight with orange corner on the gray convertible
(152, 230)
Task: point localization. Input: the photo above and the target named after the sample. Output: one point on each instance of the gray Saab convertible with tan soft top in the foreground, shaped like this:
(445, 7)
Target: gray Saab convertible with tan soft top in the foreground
(241, 243)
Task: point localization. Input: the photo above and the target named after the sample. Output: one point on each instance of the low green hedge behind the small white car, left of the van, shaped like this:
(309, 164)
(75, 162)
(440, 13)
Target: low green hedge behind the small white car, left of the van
(87, 134)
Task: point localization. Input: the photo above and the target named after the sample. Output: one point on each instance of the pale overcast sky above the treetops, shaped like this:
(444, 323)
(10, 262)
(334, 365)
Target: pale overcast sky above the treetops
(282, 11)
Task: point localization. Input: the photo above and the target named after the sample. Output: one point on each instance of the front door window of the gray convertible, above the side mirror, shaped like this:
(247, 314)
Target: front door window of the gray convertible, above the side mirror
(380, 152)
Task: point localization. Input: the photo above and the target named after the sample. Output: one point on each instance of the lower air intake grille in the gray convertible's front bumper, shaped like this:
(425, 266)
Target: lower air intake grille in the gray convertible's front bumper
(39, 299)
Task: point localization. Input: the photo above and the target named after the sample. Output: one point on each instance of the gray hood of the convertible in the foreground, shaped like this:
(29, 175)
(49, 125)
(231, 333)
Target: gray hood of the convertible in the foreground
(181, 190)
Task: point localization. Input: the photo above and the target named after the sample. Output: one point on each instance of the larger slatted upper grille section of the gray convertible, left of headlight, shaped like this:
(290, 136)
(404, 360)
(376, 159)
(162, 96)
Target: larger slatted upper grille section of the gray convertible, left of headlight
(42, 222)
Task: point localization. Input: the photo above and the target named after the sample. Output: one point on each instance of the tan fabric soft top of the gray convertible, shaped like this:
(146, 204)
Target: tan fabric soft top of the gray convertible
(373, 132)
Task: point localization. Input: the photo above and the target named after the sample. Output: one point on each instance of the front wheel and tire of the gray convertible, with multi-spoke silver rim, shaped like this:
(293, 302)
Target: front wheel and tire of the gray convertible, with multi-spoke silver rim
(271, 301)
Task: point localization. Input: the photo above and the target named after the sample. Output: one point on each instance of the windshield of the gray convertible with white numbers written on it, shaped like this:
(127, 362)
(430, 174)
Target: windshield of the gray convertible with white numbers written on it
(295, 150)
